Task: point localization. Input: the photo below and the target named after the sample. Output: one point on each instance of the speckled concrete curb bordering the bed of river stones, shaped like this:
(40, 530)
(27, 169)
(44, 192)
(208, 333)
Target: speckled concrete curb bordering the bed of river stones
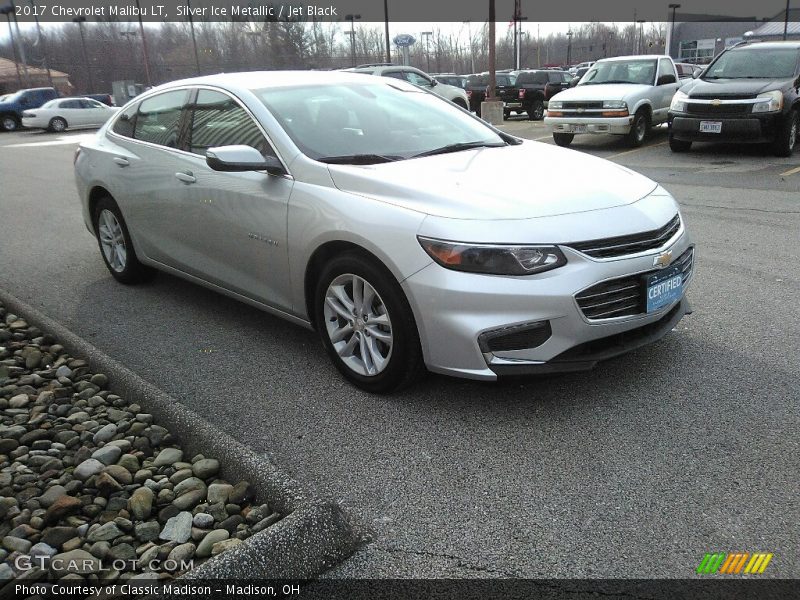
(314, 535)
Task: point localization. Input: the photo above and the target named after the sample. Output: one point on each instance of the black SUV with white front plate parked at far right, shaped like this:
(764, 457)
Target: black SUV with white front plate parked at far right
(750, 93)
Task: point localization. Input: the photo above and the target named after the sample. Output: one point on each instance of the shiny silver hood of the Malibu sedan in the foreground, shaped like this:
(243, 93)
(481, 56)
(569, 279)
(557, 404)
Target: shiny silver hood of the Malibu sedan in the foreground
(513, 182)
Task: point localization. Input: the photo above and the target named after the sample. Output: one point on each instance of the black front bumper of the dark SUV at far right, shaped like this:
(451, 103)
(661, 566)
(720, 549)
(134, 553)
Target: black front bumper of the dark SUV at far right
(749, 128)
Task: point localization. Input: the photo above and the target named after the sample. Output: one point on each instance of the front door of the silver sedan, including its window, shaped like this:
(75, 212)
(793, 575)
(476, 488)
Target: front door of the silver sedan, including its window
(242, 215)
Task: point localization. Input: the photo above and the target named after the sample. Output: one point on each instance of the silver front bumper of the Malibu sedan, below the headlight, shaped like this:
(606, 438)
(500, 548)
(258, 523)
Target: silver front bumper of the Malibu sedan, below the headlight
(453, 309)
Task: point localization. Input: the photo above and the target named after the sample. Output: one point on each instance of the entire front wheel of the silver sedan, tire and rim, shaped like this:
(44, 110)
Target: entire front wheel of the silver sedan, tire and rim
(366, 324)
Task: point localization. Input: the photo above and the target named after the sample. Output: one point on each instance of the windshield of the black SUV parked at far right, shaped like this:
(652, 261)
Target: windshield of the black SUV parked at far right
(752, 63)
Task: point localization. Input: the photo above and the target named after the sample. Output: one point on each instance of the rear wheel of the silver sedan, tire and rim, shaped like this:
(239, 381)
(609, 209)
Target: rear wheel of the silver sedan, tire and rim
(116, 246)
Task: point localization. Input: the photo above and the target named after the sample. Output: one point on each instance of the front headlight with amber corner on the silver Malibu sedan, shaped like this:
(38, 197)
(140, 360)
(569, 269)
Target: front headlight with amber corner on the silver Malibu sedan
(493, 259)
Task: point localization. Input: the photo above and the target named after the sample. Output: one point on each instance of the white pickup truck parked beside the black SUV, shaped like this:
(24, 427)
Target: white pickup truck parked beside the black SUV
(625, 95)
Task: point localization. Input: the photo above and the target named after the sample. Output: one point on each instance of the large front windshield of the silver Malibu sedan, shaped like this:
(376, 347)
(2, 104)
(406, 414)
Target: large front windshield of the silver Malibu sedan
(380, 120)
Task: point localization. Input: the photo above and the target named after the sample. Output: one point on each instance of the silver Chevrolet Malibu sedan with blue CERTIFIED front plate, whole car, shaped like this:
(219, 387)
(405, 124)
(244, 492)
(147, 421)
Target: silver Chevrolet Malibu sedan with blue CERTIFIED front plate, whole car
(384, 217)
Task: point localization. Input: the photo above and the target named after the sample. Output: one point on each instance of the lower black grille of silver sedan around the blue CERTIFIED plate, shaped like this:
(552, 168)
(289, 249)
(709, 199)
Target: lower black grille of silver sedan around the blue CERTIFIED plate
(625, 296)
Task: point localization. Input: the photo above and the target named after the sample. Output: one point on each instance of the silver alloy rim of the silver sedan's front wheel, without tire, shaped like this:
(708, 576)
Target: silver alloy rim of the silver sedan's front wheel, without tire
(358, 324)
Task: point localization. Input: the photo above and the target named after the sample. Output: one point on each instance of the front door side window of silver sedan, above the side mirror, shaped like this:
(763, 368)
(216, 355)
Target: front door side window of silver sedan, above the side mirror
(217, 120)
